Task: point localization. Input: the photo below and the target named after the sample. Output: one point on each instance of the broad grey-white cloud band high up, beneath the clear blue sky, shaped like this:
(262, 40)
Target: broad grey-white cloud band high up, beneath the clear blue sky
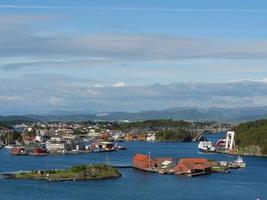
(134, 47)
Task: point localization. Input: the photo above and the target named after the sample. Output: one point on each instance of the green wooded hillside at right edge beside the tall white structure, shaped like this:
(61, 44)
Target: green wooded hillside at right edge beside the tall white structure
(251, 137)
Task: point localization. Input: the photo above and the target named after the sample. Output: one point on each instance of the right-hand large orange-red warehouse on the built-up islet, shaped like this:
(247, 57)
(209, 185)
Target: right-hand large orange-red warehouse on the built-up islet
(193, 166)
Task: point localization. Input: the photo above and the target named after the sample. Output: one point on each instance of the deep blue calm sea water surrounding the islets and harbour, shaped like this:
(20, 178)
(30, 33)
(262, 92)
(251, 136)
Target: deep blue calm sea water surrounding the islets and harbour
(245, 184)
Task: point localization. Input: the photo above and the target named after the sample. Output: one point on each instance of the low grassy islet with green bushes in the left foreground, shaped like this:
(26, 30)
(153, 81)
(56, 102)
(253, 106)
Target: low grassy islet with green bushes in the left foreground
(80, 172)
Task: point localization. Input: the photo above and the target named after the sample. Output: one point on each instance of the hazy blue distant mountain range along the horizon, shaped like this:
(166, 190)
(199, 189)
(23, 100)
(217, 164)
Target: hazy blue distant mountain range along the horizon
(193, 114)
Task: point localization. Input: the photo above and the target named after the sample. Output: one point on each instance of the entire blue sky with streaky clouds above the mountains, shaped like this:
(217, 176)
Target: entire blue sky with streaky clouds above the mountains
(124, 55)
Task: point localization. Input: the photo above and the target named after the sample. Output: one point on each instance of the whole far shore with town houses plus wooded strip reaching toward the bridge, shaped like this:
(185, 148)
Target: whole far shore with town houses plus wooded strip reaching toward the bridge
(44, 138)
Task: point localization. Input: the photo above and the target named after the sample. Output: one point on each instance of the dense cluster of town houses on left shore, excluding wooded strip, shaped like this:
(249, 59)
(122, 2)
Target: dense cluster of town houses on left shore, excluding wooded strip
(59, 138)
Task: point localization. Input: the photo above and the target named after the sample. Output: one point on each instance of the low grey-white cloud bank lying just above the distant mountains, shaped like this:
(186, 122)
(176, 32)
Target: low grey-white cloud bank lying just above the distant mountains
(146, 97)
